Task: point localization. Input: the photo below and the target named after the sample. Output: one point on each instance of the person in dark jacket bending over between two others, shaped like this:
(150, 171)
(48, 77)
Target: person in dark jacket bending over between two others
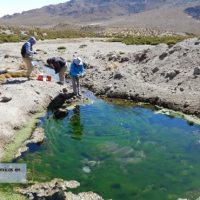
(59, 65)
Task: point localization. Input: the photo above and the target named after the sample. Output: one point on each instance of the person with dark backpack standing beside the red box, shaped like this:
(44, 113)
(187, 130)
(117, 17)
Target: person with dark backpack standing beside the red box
(27, 55)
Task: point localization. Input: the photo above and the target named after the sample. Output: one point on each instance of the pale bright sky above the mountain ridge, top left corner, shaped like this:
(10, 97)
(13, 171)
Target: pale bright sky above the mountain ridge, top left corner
(13, 6)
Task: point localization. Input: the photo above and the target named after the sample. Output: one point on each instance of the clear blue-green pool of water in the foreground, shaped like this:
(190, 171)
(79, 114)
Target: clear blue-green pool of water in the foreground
(121, 151)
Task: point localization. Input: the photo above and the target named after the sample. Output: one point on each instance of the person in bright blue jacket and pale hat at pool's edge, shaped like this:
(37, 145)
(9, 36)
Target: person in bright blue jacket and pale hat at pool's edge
(76, 71)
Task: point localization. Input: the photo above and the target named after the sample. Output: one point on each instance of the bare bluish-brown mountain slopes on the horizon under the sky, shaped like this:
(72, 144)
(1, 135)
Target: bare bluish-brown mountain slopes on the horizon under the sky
(84, 12)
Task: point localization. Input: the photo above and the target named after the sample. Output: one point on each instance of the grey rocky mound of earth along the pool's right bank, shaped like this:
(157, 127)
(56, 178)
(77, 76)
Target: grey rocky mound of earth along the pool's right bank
(162, 75)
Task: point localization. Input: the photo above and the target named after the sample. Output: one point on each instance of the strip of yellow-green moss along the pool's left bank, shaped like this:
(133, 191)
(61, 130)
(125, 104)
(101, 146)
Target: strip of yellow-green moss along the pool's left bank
(21, 135)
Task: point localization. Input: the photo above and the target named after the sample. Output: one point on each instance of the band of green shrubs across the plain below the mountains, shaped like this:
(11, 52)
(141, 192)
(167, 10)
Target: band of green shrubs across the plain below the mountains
(20, 34)
